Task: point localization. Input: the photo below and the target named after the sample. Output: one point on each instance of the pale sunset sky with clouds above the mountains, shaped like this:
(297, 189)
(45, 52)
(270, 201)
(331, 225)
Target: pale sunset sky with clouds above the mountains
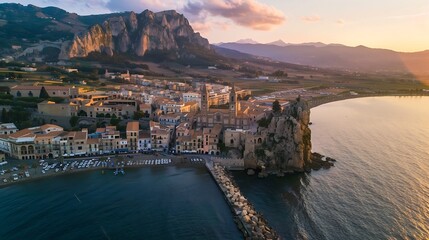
(391, 24)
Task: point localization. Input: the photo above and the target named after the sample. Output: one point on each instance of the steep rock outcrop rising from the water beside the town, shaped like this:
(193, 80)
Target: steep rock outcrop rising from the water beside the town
(286, 143)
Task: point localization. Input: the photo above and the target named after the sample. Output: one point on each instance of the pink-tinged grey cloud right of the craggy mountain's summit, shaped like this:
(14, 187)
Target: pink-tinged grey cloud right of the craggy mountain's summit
(247, 13)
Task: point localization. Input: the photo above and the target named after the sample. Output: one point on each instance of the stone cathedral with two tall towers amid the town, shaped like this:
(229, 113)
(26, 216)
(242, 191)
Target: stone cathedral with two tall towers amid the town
(233, 117)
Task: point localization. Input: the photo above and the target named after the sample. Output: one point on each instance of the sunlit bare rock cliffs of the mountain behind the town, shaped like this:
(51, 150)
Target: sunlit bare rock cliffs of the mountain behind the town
(137, 34)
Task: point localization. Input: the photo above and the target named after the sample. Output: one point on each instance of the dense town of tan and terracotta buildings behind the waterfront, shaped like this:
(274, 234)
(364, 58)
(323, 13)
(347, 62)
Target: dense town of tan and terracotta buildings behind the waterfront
(158, 116)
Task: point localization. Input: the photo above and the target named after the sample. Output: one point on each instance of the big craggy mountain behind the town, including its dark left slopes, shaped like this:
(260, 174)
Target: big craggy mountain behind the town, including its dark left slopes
(33, 29)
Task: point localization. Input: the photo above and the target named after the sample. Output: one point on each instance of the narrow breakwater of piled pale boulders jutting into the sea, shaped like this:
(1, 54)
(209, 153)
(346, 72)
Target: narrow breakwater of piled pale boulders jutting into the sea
(252, 224)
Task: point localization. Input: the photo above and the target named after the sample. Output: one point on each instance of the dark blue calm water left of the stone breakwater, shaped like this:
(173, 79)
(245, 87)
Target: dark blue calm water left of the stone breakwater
(148, 203)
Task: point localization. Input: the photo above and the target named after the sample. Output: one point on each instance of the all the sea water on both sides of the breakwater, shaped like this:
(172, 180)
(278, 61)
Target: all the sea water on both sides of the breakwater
(378, 188)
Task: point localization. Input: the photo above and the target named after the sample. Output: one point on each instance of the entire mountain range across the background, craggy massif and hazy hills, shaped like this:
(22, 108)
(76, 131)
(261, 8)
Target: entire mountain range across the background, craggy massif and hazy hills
(48, 34)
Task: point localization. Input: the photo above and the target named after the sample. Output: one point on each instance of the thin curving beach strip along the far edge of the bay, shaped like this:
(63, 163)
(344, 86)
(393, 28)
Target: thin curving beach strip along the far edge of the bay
(312, 103)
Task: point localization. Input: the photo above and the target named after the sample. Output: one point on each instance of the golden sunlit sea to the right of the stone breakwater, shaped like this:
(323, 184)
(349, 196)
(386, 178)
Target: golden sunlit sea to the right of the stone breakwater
(378, 189)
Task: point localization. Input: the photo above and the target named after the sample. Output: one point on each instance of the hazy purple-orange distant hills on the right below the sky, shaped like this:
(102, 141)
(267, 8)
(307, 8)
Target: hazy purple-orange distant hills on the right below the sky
(338, 56)
